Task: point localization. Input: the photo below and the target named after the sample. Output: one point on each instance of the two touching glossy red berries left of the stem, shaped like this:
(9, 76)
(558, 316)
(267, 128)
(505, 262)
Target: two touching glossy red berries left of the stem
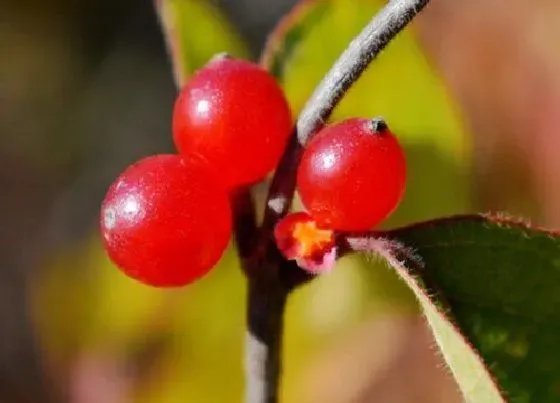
(166, 220)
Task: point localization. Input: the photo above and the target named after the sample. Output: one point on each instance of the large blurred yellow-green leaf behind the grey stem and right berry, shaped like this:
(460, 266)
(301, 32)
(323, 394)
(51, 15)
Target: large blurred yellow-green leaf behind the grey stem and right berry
(400, 85)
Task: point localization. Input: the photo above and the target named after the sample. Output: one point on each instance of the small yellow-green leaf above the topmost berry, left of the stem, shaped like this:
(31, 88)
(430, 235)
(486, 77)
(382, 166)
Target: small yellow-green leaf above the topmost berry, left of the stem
(195, 31)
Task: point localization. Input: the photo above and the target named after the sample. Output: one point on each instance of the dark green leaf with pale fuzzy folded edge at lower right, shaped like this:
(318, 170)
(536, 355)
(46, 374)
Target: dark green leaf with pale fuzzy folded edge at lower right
(499, 279)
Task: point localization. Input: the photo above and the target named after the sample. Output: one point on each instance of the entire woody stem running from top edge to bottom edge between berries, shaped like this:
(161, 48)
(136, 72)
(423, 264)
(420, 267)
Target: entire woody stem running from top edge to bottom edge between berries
(271, 278)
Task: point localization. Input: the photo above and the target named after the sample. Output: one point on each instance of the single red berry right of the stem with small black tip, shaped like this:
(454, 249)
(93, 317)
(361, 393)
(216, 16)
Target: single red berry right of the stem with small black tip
(352, 175)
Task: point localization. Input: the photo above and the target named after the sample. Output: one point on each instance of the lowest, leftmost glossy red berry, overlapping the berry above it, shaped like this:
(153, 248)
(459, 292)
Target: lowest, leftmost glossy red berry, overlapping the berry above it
(166, 220)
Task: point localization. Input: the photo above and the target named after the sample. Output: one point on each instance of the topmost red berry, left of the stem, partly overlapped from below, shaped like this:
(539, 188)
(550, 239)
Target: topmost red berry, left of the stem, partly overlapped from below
(234, 114)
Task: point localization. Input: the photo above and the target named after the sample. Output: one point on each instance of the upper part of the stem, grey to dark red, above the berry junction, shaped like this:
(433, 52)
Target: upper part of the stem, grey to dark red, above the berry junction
(348, 68)
